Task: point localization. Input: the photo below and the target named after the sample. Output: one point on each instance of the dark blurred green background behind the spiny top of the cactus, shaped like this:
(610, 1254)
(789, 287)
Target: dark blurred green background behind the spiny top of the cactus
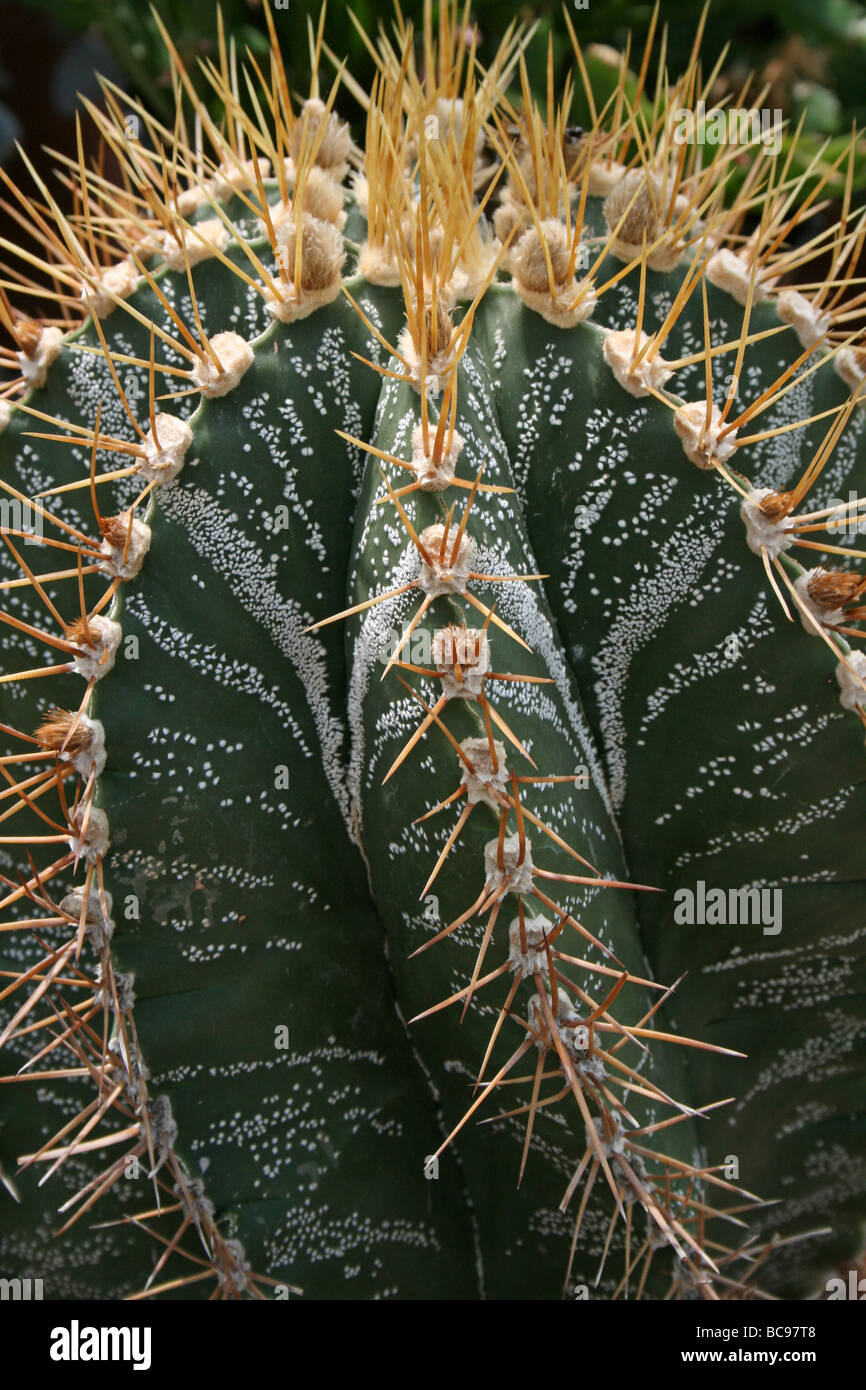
(812, 52)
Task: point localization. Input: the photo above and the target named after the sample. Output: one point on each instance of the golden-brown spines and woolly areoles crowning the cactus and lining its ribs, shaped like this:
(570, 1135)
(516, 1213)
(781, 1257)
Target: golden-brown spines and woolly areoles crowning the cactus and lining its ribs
(457, 197)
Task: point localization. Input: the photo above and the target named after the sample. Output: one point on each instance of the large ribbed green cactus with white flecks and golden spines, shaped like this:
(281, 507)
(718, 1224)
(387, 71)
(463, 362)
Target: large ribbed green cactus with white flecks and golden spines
(432, 694)
